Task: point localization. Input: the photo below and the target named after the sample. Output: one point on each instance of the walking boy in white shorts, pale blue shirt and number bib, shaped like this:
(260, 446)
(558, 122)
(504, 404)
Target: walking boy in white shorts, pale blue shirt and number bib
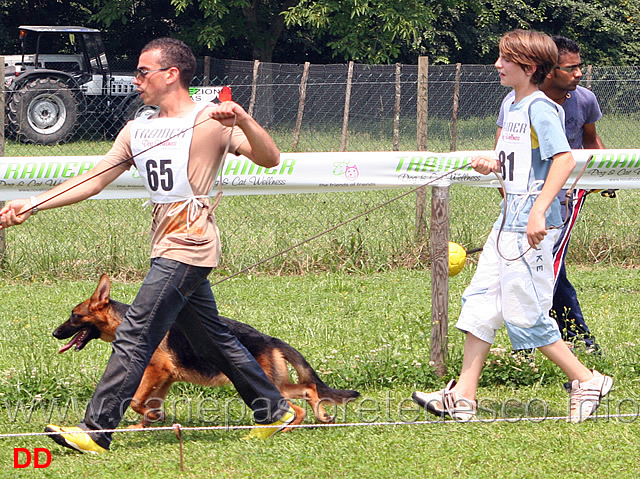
(513, 284)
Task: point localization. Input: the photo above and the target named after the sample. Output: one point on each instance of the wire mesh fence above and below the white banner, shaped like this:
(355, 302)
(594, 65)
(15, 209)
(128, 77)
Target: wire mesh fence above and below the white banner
(325, 108)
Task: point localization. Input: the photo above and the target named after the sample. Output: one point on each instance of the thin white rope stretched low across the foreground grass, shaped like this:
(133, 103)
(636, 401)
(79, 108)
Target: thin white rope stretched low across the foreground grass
(320, 425)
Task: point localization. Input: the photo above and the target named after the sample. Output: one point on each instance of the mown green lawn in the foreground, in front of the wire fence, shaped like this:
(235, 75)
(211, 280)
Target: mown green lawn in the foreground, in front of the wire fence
(368, 332)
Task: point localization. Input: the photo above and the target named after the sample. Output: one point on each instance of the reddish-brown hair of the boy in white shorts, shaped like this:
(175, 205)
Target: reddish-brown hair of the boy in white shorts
(530, 48)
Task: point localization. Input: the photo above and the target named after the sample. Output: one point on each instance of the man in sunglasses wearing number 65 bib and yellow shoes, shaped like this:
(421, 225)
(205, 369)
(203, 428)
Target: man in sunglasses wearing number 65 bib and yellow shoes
(177, 152)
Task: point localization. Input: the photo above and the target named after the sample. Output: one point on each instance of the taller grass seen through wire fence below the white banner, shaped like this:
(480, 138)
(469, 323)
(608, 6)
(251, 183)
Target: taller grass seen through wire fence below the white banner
(84, 240)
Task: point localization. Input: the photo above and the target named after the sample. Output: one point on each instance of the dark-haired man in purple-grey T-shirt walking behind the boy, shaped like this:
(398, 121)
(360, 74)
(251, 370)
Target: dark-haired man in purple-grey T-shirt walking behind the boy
(581, 113)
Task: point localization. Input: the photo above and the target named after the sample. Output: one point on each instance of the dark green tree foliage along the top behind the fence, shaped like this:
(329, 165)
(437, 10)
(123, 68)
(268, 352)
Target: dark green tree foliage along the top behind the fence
(324, 31)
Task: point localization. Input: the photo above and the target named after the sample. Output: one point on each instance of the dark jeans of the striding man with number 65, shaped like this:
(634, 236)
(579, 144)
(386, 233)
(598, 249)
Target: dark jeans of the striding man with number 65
(174, 292)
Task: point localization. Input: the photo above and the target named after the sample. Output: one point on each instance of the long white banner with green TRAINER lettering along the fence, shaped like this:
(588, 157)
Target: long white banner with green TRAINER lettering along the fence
(321, 172)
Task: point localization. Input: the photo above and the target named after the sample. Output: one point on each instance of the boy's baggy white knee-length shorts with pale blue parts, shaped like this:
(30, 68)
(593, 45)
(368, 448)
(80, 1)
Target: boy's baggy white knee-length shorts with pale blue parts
(515, 292)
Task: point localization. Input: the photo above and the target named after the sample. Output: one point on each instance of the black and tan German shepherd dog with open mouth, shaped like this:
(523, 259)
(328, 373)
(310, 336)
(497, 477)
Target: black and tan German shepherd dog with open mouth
(175, 360)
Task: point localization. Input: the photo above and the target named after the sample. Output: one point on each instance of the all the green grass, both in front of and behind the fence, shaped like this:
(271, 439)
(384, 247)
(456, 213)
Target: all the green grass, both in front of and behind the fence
(357, 305)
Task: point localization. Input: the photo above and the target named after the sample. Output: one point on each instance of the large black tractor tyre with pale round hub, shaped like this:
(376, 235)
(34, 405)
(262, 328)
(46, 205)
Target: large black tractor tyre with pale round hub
(43, 111)
